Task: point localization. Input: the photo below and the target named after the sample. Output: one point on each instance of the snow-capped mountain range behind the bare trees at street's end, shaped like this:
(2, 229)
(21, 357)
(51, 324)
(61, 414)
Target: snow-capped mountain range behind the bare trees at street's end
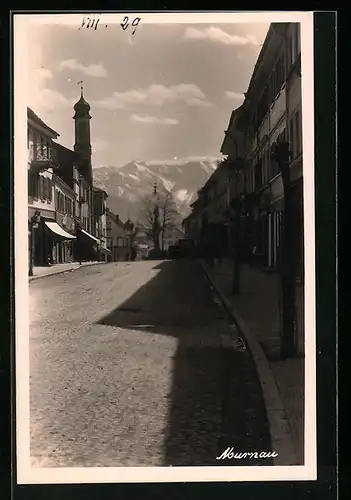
(126, 186)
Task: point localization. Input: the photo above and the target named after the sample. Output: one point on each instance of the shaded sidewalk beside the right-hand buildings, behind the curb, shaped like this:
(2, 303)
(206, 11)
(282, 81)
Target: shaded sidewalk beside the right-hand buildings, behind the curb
(259, 310)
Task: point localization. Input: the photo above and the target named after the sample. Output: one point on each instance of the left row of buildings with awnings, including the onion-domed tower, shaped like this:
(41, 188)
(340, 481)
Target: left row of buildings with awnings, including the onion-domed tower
(63, 224)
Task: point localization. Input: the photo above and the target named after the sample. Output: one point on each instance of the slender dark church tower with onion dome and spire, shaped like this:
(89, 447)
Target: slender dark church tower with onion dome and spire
(82, 144)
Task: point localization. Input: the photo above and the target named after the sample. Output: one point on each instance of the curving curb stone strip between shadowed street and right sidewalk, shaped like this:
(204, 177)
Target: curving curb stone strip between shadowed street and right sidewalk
(282, 442)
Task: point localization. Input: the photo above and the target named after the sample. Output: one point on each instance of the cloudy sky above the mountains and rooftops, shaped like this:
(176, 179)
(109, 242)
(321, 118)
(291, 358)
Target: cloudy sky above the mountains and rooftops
(167, 91)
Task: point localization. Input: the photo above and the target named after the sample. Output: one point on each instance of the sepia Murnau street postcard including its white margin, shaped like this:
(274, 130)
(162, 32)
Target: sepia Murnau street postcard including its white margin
(165, 288)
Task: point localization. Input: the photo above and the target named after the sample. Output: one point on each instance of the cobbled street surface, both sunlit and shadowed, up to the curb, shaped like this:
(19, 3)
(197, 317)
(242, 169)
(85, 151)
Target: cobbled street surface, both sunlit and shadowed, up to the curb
(127, 369)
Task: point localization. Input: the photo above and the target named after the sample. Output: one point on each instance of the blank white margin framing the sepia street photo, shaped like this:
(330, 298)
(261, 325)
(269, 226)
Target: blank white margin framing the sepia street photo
(29, 475)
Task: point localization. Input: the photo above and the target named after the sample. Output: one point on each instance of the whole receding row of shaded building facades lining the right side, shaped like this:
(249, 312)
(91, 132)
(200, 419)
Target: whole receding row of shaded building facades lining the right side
(248, 180)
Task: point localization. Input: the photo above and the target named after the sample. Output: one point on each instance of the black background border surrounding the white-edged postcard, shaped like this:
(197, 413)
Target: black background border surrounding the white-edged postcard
(326, 252)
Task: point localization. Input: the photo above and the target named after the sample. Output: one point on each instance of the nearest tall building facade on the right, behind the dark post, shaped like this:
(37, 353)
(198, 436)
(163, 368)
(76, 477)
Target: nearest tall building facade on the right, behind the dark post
(273, 107)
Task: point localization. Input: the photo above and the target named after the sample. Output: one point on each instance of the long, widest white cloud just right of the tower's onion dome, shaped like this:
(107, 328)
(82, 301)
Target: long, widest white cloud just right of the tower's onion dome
(156, 95)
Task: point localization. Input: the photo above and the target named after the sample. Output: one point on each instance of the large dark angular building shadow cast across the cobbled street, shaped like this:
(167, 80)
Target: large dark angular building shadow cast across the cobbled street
(215, 401)
